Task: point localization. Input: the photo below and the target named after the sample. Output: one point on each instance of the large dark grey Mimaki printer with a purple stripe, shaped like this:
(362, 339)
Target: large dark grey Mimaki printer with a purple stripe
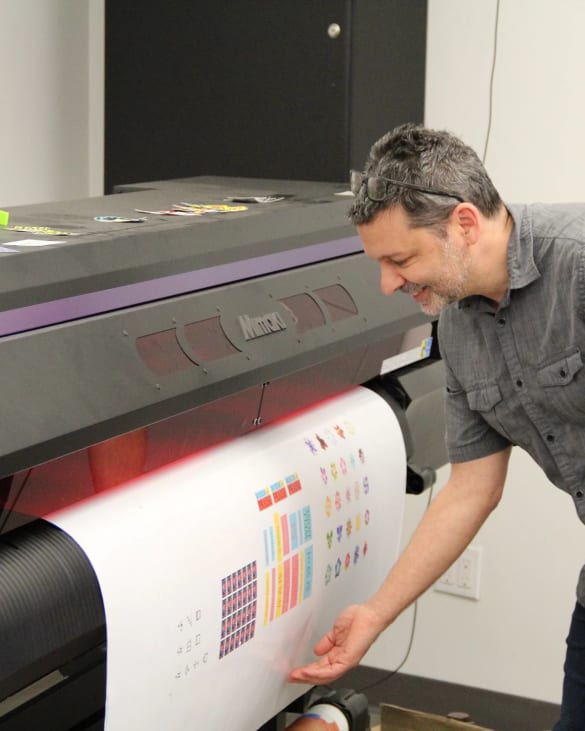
(192, 330)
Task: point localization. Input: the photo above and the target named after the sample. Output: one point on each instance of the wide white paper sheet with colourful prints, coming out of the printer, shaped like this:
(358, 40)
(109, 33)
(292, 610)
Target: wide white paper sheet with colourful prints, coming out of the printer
(220, 572)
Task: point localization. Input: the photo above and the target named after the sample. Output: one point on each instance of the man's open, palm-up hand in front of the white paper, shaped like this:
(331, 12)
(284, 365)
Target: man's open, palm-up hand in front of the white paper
(342, 648)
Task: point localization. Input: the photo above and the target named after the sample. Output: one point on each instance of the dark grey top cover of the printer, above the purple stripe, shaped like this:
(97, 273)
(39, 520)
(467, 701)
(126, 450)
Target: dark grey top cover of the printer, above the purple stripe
(107, 255)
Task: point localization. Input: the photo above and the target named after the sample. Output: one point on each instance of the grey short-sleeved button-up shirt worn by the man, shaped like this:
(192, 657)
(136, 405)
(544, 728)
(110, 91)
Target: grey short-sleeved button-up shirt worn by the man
(515, 372)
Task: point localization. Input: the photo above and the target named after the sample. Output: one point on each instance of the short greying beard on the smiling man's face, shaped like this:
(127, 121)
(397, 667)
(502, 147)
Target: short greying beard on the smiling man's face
(449, 285)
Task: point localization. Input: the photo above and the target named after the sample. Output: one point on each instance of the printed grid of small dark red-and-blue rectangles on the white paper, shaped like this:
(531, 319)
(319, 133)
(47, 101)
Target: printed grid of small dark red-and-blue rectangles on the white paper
(239, 594)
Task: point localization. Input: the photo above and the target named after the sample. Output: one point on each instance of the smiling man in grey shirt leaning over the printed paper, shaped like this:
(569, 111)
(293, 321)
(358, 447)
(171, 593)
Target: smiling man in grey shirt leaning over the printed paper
(509, 284)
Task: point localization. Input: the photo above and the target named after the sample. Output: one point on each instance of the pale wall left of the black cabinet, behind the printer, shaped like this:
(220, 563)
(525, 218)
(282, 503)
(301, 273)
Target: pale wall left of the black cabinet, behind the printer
(51, 108)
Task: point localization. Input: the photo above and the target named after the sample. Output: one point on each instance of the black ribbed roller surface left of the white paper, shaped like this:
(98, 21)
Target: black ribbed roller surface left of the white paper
(51, 609)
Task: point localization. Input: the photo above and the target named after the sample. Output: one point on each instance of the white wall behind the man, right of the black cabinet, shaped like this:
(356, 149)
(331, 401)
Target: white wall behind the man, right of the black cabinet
(512, 639)
